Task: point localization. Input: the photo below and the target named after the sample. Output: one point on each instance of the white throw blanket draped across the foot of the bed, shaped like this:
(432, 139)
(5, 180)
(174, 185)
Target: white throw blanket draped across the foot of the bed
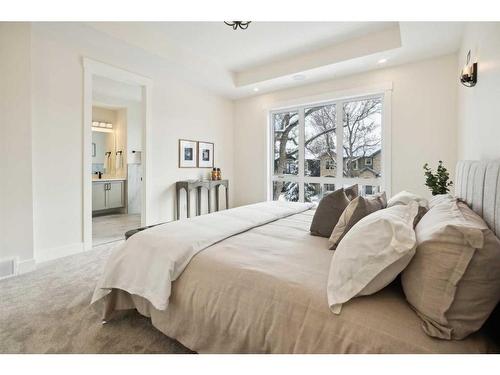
(148, 262)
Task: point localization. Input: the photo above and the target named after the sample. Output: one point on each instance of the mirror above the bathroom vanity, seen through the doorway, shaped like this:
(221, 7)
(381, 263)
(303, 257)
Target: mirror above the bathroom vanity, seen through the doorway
(103, 151)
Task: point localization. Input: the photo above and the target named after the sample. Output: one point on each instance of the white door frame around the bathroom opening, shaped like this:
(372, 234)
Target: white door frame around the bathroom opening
(93, 68)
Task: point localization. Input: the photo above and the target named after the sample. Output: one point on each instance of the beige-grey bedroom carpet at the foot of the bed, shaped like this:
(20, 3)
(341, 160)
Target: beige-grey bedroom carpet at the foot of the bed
(48, 311)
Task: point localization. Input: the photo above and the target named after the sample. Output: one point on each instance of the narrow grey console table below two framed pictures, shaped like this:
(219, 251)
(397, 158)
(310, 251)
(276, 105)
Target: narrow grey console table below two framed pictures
(189, 185)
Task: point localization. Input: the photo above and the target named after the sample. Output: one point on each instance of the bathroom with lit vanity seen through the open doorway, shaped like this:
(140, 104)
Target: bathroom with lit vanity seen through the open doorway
(116, 160)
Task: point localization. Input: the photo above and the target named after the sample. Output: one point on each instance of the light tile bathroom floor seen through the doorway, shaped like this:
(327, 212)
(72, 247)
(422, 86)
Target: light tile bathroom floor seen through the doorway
(111, 228)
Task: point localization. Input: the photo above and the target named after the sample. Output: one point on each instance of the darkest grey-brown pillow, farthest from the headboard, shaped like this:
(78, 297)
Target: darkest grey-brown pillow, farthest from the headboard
(328, 212)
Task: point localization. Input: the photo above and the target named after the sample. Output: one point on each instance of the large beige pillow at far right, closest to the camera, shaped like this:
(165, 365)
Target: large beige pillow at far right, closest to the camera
(453, 282)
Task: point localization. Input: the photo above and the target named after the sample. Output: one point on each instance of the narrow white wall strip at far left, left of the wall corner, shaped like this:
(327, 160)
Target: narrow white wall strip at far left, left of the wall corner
(16, 201)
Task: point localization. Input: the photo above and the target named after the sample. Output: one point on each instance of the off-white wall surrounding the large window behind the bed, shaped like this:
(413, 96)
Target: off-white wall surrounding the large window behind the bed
(423, 123)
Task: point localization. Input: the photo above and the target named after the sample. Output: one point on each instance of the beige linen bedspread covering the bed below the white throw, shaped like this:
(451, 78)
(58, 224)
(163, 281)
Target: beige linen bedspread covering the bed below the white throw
(264, 291)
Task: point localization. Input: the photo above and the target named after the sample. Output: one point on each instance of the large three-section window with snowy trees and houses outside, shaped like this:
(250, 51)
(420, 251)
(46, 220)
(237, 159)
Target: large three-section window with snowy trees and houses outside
(318, 147)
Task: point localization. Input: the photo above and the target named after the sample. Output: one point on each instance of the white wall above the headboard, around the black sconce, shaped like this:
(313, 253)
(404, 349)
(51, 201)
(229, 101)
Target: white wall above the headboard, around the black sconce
(479, 109)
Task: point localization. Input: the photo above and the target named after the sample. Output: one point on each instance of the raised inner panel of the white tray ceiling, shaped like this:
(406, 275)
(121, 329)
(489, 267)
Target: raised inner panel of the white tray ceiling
(261, 42)
